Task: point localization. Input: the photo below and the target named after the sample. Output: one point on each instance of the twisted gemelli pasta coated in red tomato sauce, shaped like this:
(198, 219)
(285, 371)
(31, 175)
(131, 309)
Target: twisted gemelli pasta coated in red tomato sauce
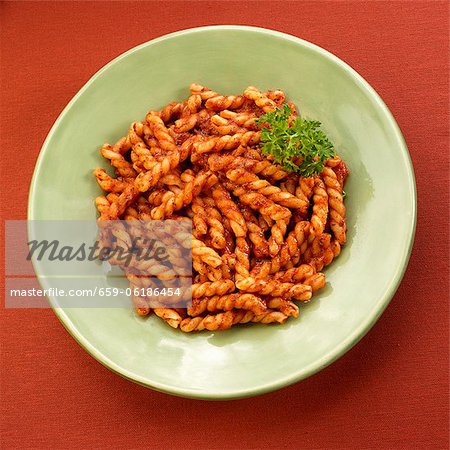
(261, 233)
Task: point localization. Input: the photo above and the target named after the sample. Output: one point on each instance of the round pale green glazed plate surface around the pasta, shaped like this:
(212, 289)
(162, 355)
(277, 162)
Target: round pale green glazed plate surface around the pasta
(245, 360)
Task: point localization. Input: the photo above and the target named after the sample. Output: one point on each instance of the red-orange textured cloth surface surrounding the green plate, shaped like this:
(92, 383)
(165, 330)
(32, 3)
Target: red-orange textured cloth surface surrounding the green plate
(390, 391)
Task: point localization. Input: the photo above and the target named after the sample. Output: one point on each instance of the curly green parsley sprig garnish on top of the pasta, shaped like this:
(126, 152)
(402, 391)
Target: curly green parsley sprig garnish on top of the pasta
(299, 147)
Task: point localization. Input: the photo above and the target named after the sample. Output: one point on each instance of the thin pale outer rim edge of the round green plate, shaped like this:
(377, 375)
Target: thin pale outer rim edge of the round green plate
(345, 345)
